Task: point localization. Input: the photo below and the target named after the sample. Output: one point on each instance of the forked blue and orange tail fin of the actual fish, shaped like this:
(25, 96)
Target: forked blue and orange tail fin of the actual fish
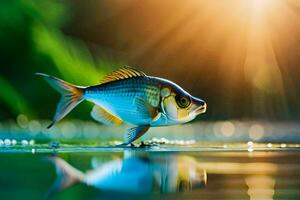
(71, 96)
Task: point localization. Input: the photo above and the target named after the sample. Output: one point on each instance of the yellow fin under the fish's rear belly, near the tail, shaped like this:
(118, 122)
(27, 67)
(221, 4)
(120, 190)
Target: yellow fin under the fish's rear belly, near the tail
(104, 116)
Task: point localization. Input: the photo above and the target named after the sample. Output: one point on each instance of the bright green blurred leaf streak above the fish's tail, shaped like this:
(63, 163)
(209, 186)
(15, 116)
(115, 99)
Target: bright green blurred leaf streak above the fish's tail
(71, 58)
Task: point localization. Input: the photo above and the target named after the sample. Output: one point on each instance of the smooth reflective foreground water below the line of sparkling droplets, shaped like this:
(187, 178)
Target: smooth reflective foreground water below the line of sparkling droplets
(198, 171)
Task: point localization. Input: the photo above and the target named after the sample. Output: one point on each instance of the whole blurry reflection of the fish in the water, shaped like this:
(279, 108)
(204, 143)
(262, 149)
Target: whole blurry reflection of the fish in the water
(173, 174)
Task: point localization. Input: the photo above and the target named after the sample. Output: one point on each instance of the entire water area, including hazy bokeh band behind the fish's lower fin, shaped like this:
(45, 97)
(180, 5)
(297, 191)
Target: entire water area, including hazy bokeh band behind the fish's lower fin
(222, 160)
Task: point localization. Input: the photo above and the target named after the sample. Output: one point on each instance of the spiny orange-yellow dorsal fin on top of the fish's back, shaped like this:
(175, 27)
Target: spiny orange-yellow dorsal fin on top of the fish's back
(122, 73)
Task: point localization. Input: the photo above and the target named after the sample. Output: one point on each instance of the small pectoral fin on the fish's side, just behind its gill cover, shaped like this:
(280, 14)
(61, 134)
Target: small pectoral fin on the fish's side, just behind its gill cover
(145, 109)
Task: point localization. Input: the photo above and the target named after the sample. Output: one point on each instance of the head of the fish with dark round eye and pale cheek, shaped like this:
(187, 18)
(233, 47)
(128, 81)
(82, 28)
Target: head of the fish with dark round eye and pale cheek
(178, 105)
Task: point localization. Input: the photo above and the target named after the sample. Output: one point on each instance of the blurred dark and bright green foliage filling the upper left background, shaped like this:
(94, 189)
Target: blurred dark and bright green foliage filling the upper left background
(32, 41)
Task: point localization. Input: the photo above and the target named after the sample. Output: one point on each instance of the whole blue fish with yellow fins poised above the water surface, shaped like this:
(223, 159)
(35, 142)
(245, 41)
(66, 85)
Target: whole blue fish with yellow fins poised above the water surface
(128, 95)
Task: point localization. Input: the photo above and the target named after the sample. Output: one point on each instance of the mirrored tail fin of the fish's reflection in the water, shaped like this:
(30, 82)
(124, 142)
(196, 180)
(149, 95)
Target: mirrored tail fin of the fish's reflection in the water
(67, 176)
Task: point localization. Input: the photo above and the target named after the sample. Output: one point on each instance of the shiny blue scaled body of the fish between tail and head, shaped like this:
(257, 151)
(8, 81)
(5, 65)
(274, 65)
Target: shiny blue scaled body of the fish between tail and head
(119, 97)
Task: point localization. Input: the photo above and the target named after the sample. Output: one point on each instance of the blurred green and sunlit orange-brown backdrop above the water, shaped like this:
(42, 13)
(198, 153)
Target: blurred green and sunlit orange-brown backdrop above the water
(236, 55)
